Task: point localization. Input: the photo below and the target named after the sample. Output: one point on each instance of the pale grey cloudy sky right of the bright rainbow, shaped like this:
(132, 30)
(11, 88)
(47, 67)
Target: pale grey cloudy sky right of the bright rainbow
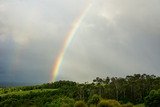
(123, 39)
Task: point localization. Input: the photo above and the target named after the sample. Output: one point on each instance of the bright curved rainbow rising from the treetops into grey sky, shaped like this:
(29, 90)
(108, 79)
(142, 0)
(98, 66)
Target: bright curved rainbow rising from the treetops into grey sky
(67, 41)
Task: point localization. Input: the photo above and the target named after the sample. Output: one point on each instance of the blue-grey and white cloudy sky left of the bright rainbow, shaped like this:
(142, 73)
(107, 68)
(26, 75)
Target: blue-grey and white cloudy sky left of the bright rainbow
(31, 35)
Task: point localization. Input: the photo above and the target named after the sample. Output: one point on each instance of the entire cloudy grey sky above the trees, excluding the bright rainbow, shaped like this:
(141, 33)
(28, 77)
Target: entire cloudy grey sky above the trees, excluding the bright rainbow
(114, 38)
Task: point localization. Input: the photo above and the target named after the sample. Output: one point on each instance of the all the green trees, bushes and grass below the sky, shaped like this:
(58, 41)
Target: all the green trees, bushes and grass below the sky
(131, 91)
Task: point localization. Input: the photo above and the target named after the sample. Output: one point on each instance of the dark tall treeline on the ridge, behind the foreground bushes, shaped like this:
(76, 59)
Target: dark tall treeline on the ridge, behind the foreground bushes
(129, 89)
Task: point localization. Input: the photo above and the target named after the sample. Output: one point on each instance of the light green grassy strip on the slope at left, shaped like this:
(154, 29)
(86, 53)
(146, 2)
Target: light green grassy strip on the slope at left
(26, 92)
